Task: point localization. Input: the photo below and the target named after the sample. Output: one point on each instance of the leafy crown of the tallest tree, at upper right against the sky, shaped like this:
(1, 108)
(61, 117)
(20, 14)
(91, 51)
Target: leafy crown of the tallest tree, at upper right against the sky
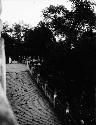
(70, 24)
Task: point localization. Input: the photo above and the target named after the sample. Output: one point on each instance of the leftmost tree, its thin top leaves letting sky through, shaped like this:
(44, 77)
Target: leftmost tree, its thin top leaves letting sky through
(13, 38)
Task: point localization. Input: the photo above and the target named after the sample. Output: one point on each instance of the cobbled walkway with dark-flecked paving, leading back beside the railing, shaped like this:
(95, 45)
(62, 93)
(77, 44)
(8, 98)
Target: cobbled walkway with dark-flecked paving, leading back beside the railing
(27, 101)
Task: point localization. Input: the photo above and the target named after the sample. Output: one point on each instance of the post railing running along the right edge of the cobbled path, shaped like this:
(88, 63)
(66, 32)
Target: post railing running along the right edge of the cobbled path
(52, 95)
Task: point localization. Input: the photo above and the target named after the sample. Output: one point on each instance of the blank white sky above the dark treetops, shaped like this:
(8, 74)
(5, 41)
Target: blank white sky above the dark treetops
(27, 11)
